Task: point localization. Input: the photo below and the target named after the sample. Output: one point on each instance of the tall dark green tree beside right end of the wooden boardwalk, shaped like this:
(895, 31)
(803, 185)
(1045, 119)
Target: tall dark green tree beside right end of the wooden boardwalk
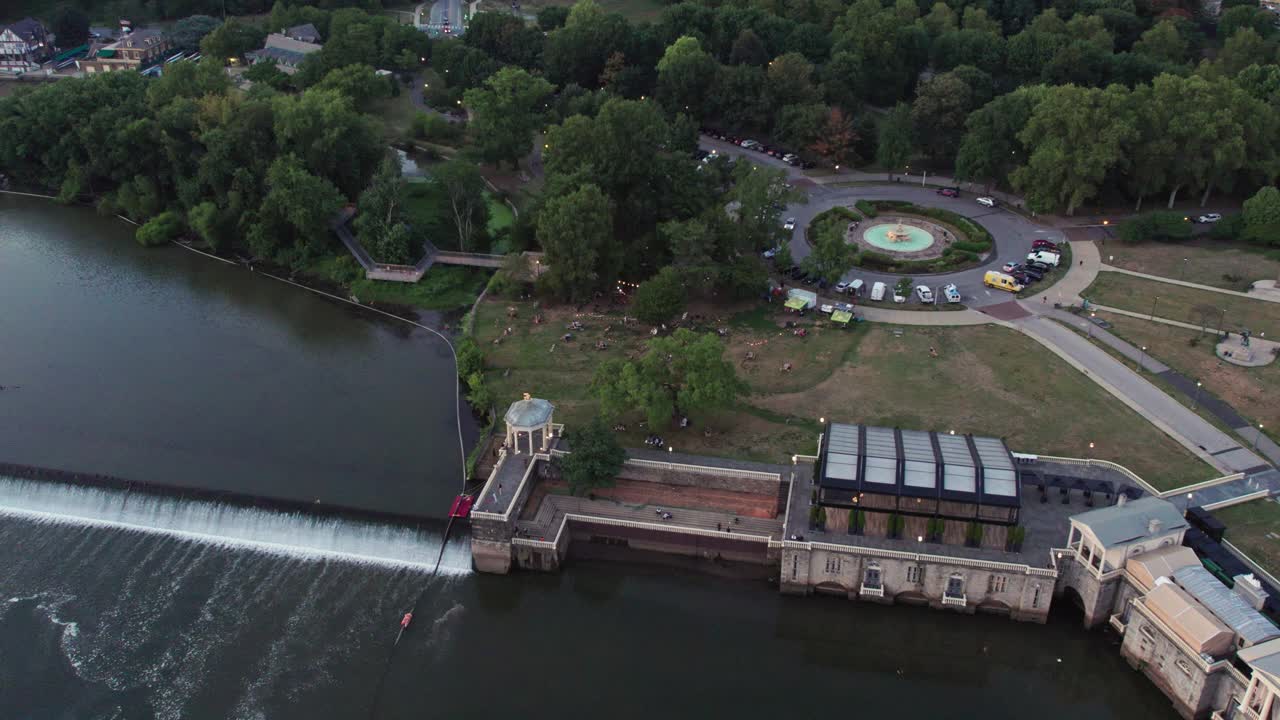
(577, 234)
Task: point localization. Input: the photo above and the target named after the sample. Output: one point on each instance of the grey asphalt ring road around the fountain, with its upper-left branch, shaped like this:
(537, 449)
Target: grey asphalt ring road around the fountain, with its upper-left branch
(1012, 233)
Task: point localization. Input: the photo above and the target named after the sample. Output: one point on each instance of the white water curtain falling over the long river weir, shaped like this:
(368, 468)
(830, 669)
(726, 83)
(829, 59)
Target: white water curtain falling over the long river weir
(217, 523)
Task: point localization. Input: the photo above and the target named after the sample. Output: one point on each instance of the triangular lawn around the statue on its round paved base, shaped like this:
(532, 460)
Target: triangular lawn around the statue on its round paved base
(1251, 391)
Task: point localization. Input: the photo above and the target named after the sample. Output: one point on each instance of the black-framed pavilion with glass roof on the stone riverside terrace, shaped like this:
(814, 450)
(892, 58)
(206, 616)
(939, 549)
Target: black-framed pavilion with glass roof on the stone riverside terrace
(918, 473)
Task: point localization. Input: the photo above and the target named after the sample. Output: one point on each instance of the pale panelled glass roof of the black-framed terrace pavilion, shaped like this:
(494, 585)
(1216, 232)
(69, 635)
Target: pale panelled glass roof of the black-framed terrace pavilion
(918, 464)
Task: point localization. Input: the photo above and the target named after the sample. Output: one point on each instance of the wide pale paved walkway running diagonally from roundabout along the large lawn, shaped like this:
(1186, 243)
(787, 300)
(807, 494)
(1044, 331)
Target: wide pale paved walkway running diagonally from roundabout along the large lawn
(1199, 436)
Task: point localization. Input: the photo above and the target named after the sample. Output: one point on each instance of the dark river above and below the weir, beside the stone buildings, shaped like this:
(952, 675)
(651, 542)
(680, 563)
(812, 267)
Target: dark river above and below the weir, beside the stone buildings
(173, 368)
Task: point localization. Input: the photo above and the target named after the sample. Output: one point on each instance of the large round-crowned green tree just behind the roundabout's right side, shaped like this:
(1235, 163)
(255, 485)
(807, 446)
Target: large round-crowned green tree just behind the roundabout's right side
(1077, 135)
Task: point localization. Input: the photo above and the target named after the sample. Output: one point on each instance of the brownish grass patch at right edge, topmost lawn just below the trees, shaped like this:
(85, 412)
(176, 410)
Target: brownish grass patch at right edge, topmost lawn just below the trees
(1231, 267)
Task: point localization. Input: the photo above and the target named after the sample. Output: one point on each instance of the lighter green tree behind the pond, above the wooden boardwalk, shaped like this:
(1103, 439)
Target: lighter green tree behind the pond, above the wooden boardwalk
(506, 113)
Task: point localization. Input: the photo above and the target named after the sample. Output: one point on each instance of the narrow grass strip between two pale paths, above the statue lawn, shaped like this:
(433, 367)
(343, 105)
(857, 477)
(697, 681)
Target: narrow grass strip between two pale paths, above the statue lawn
(1178, 303)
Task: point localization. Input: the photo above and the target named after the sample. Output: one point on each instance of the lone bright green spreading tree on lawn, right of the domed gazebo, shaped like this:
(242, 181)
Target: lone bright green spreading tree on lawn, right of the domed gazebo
(678, 375)
